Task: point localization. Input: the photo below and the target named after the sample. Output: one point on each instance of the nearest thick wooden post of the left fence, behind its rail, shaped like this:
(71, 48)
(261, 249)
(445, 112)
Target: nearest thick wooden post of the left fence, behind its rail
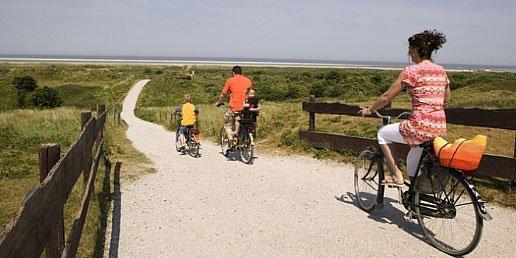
(49, 154)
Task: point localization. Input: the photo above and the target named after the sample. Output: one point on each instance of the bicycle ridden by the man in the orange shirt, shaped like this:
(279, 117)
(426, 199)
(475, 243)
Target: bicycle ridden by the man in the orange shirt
(244, 142)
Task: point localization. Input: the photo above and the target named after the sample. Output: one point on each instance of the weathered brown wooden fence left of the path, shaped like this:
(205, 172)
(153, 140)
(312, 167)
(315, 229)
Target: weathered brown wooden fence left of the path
(39, 223)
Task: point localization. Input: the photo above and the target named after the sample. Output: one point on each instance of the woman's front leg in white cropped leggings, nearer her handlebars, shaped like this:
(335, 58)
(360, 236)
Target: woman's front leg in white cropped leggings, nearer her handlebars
(387, 135)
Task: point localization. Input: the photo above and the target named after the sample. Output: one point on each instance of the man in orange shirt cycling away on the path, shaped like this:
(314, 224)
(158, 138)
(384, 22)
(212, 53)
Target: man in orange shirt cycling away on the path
(236, 87)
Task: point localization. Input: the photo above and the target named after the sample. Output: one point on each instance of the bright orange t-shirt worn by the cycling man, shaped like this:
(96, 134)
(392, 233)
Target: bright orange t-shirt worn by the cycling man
(237, 86)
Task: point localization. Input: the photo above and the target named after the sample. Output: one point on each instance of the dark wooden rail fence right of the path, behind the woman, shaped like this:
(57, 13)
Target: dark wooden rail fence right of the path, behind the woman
(491, 165)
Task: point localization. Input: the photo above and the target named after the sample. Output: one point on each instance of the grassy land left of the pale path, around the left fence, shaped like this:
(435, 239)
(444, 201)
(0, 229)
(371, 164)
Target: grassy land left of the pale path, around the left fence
(22, 131)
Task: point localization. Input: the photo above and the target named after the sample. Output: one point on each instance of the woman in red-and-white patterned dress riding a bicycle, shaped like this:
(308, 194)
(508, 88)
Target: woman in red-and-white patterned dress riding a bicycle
(428, 86)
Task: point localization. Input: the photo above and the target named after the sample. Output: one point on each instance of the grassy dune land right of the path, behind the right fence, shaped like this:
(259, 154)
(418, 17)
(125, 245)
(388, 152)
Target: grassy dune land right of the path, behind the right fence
(279, 122)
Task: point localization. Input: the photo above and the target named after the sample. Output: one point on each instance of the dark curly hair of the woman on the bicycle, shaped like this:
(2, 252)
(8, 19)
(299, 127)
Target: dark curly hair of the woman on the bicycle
(427, 42)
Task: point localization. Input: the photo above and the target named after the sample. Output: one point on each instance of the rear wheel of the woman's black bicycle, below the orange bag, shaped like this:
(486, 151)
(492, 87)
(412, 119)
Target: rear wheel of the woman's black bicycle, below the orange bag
(450, 218)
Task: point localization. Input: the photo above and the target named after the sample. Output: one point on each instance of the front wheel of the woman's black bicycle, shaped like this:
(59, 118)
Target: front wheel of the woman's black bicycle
(367, 177)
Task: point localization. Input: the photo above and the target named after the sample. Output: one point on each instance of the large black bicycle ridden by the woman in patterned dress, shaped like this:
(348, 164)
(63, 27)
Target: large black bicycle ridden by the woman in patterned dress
(446, 205)
